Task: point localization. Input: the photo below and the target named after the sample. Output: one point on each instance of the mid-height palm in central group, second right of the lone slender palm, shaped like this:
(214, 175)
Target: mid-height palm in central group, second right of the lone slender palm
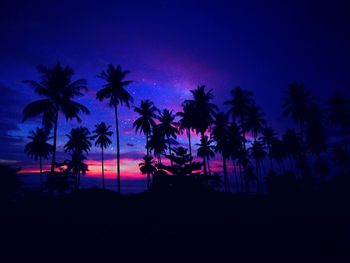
(167, 126)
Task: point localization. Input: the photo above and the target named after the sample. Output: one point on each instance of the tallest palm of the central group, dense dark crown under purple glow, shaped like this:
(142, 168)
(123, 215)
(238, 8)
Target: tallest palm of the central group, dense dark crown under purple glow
(203, 113)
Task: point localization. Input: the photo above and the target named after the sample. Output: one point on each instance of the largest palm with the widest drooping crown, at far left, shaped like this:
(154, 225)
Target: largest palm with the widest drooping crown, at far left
(58, 90)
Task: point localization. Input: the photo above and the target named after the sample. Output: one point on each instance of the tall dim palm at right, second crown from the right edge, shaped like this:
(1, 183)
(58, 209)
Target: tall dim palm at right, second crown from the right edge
(296, 104)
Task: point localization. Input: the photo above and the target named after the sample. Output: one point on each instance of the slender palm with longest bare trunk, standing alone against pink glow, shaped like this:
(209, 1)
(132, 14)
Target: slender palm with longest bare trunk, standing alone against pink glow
(114, 90)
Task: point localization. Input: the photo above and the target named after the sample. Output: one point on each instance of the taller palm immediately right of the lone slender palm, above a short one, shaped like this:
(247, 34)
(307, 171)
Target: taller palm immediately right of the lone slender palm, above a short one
(145, 124)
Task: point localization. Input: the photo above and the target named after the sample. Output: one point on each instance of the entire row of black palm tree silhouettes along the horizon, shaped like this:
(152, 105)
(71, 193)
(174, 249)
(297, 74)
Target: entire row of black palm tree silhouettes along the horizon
(240, 135)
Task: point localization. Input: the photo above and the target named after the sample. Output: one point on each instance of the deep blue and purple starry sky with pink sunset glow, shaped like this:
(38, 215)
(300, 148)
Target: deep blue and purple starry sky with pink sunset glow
(170, 47)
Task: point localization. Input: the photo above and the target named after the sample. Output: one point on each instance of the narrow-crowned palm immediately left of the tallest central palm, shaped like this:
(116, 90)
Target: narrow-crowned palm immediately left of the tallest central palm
(187, 122)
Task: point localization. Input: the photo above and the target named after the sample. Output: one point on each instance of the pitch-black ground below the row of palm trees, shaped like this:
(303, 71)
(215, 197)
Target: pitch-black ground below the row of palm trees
(96, 226)
